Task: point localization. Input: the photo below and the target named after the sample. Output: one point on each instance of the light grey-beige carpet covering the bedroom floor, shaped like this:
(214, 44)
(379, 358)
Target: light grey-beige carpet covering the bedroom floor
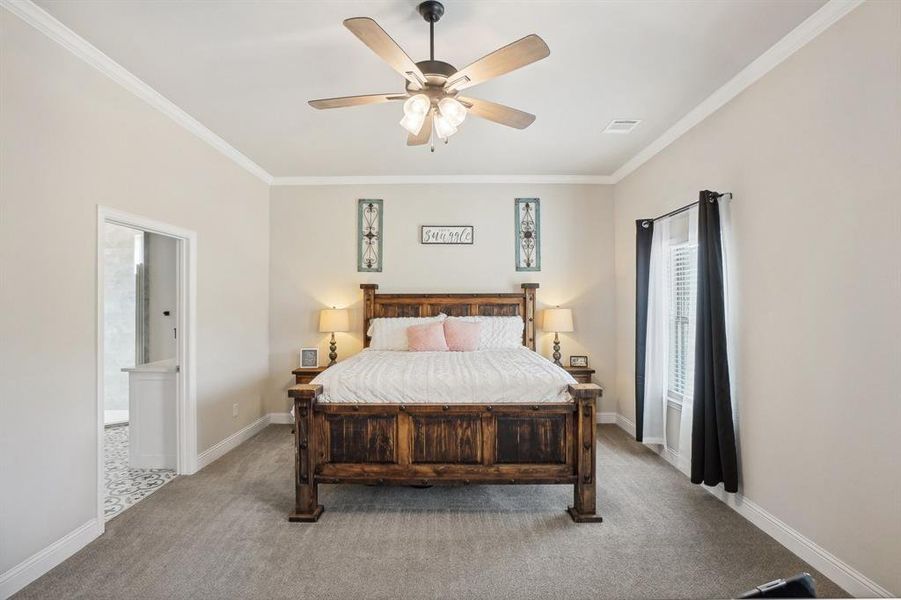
(223, 533)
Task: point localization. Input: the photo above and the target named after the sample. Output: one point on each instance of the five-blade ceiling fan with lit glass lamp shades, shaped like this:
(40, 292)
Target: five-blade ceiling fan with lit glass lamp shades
(433, 107)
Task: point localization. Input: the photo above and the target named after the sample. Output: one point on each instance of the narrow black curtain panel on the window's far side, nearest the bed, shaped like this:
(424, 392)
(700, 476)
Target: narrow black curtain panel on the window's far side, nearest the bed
(644, 233)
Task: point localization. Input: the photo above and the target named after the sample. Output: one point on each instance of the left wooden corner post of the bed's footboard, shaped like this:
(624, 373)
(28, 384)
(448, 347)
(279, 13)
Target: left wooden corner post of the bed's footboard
(306, 494)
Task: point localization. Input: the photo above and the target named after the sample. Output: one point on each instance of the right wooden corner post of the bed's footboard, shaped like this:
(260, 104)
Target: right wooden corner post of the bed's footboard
(584, 508)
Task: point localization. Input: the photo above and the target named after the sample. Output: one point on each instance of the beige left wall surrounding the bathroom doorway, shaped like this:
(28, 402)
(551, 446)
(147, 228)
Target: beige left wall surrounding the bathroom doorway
(71, 139)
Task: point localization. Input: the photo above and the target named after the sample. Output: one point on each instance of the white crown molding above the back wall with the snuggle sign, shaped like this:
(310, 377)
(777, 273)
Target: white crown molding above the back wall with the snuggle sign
(443, 179)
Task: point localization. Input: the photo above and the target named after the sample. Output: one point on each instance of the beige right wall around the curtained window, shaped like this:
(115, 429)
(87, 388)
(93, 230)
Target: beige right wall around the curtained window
(813, 154)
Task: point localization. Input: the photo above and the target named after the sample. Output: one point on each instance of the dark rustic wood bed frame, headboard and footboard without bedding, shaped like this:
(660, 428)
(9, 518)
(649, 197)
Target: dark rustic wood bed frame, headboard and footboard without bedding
(455, 444)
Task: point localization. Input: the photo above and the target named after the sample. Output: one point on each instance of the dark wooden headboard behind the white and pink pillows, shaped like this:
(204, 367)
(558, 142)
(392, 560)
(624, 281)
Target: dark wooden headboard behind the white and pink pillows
(454, 305)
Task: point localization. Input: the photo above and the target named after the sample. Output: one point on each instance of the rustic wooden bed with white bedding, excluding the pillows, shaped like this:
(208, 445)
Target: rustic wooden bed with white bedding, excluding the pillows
(445, 418)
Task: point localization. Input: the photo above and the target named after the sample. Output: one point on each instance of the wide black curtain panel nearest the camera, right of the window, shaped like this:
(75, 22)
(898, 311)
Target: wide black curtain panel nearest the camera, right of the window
(713, 455)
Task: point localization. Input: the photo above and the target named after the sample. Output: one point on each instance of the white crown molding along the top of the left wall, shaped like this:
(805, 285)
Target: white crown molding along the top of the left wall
(44, 22)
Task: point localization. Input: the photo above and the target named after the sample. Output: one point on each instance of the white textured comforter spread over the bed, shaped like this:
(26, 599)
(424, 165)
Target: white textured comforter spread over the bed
(483, 377)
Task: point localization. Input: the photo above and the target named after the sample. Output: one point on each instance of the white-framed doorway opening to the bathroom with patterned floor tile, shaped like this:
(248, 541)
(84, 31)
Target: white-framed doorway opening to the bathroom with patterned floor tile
(145, 408)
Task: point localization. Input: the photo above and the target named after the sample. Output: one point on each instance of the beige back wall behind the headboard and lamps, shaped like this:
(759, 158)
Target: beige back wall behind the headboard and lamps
(313, 265)
